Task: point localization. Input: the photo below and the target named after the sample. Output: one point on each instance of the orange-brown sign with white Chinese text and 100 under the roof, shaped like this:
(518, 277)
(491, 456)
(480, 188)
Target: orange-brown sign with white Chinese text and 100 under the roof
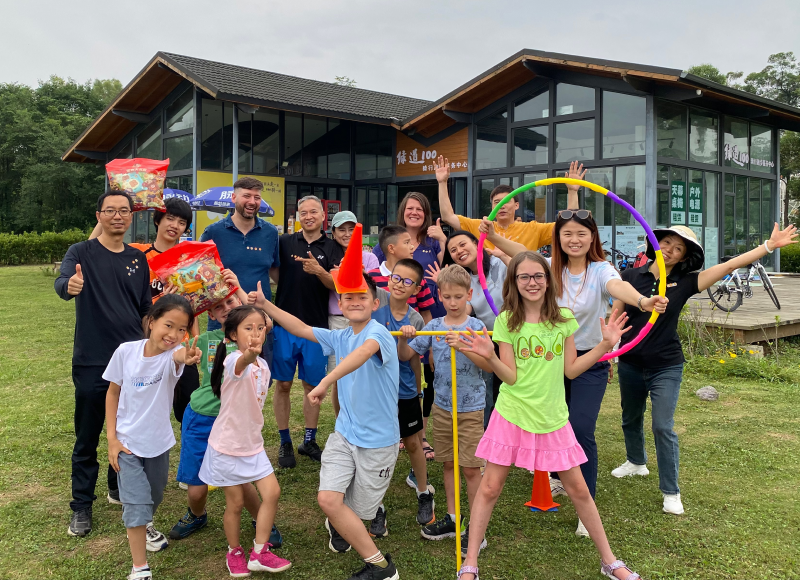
(414, 159)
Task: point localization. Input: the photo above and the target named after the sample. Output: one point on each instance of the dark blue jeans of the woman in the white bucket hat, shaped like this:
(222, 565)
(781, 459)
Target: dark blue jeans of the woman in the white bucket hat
(663, 385)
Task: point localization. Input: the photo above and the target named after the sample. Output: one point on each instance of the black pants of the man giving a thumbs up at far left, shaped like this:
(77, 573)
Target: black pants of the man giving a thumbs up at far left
(90, 414)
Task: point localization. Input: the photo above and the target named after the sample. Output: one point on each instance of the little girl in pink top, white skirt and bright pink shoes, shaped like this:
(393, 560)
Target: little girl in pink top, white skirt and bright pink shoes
(235, 455)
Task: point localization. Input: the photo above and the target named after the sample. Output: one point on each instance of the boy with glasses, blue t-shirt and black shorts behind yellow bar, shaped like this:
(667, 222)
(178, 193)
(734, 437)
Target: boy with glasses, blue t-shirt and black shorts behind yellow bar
(397, 315)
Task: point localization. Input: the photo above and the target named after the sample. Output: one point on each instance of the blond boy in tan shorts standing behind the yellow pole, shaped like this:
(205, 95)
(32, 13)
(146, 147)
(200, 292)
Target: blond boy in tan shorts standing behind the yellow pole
(454, 291)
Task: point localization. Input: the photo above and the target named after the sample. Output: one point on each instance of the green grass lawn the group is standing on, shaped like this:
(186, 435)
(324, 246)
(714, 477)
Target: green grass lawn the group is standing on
(739, 480)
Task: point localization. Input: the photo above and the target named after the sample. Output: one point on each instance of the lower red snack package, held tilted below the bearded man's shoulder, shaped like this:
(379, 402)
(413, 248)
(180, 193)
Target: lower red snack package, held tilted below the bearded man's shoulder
(196, 270)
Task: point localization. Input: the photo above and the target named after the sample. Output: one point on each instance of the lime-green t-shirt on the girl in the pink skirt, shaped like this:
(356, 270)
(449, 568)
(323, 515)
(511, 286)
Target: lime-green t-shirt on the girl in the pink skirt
(535, 402)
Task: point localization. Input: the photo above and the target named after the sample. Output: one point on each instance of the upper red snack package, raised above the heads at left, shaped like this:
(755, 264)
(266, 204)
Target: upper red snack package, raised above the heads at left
(142, 179)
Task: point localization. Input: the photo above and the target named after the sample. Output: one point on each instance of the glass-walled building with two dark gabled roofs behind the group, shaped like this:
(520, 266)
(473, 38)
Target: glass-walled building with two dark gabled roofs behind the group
(680, 148)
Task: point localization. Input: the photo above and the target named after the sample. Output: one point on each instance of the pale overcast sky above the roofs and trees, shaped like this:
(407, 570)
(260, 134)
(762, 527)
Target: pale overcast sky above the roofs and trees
(407, 47)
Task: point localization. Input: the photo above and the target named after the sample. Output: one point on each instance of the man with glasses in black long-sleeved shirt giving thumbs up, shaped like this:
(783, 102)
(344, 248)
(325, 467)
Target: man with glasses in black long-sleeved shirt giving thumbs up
(110, 282)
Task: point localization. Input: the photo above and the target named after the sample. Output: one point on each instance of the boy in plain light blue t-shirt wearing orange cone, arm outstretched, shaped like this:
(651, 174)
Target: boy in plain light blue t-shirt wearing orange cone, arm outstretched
(360, 454)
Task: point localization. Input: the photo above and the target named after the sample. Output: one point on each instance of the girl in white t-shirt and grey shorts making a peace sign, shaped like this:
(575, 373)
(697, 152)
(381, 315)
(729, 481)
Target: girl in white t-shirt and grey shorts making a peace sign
(142, 376)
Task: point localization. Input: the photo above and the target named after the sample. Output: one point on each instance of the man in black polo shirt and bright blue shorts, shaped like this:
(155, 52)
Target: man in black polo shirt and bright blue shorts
(302, 294)
